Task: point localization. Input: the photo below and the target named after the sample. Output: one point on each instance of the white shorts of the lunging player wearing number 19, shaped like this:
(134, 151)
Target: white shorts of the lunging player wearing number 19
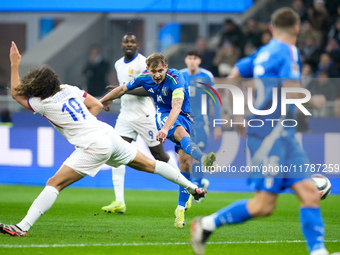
(109, 148)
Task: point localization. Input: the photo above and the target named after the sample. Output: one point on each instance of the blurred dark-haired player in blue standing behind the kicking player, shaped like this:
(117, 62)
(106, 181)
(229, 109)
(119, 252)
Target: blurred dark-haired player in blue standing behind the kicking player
(197, 78)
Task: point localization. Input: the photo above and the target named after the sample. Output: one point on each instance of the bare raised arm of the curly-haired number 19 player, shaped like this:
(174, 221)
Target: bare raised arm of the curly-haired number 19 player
(15, 58)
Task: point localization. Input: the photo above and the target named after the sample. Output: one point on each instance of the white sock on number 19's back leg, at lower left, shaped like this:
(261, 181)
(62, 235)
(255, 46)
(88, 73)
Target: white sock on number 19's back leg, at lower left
(41, 204)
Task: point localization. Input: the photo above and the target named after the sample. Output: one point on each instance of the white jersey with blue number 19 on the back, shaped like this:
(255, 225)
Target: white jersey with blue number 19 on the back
(69, 115)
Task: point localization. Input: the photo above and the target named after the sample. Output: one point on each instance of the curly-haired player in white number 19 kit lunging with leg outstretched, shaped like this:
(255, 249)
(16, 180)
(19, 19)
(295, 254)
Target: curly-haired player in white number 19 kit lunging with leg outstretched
(72, 112)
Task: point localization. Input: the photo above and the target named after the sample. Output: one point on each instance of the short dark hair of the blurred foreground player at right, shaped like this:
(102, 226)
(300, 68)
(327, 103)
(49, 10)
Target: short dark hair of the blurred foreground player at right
(285, 19)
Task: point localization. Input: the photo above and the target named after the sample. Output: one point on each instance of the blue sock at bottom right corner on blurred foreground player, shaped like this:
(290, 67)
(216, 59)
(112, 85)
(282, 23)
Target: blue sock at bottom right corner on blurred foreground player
(312, 228)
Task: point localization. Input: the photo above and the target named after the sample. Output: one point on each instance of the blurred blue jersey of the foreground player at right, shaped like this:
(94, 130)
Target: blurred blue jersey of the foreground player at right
(273, 64)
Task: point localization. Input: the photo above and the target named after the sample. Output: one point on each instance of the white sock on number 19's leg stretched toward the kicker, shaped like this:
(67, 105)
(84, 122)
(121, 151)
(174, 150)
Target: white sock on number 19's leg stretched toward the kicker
(171, 174)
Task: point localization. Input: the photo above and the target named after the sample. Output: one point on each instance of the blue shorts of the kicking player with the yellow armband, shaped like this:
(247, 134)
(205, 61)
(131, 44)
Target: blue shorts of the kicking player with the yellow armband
(182, 120)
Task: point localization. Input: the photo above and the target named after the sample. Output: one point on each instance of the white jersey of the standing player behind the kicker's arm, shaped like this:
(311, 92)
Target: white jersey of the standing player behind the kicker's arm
(133, 107)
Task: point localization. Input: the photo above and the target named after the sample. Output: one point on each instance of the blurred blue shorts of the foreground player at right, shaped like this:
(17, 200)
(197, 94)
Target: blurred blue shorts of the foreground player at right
(284, 153)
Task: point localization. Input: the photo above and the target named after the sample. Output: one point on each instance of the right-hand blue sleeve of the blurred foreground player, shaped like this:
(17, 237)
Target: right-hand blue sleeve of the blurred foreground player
(290, 65)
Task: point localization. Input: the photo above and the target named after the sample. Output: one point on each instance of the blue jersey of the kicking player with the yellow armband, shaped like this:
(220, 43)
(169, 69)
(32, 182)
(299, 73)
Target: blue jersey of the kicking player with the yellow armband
(162, 93)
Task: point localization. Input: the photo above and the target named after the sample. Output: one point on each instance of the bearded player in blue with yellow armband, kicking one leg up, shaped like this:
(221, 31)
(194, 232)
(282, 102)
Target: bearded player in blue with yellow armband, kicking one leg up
(171, 95)
